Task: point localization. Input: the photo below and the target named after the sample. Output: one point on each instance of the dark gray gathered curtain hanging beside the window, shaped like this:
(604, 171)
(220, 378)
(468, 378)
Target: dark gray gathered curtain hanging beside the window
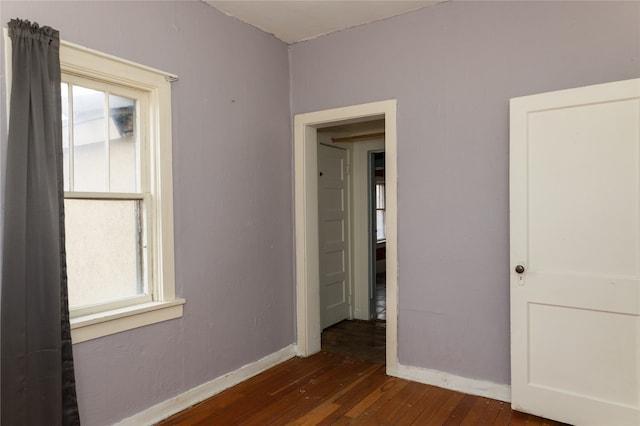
(37, 377)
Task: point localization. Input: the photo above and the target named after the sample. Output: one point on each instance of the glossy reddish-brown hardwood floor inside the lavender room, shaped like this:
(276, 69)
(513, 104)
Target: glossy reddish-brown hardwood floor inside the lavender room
(331, 389)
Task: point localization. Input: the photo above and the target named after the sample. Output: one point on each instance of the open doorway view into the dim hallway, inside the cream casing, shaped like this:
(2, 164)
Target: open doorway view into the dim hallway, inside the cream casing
(361, 331)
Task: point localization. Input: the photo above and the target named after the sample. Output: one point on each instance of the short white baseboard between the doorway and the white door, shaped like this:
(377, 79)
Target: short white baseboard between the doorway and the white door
(457, 383)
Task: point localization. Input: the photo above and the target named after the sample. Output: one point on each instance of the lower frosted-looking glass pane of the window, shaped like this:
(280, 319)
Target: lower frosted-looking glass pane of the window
(104, 250)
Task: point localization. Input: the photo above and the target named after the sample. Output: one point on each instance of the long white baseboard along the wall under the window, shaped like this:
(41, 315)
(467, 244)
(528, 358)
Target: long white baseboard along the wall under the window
(206, 390)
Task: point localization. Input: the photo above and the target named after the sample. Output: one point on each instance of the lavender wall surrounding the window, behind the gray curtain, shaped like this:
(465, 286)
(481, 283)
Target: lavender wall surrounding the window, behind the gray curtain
(233, 201)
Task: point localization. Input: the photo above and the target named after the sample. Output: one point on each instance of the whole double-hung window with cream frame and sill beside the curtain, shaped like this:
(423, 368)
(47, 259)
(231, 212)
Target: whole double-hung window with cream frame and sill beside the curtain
(116, 119)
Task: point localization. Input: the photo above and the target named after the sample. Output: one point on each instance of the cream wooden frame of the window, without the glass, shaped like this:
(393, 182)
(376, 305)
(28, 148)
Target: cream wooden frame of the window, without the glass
(164, 305)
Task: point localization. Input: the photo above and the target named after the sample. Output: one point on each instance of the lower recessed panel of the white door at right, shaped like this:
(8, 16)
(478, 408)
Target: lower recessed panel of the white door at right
(574, 334)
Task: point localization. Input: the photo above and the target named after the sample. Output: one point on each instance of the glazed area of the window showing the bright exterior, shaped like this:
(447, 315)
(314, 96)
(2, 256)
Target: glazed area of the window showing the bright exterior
(105, 223)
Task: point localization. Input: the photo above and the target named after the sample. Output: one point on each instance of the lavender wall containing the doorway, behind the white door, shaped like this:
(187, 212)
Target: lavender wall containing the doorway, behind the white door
(453, 68)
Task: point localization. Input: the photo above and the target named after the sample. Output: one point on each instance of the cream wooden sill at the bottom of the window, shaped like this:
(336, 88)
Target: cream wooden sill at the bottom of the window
(102, 324)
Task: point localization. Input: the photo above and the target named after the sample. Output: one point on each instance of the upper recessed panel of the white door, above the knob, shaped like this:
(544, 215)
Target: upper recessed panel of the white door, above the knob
(585, 176)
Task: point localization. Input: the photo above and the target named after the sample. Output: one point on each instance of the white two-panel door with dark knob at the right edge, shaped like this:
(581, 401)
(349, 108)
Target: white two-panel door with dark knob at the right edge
(575, 239)
